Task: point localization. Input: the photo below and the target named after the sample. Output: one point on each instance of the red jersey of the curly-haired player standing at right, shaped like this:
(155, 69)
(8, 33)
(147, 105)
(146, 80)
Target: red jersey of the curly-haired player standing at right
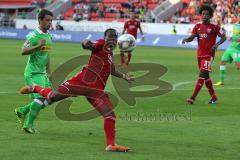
(206, 34)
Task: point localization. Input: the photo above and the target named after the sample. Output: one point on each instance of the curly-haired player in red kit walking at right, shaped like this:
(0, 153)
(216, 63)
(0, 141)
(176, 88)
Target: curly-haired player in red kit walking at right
(206, 34)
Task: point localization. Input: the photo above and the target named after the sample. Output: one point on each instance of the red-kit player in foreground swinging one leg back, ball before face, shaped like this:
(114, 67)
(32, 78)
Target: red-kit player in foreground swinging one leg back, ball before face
(90, 82)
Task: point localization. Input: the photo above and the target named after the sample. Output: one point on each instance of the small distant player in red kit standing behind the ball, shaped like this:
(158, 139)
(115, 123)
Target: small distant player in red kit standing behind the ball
(132, 27)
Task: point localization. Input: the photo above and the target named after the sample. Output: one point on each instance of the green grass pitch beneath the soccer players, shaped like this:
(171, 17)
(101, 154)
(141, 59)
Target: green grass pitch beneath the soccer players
(207, 132)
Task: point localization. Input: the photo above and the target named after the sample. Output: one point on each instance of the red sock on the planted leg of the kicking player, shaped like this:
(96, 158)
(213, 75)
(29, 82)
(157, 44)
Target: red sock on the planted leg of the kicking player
(109, 127)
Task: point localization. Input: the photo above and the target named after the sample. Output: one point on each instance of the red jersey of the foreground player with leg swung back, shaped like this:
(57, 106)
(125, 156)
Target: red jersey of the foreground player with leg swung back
(99, 66)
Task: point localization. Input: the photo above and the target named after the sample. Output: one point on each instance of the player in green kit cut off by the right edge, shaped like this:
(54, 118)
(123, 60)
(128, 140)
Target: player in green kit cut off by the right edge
(232, 54)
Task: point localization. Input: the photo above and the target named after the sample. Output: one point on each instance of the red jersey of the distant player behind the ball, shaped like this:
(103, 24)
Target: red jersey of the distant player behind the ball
(132, 26)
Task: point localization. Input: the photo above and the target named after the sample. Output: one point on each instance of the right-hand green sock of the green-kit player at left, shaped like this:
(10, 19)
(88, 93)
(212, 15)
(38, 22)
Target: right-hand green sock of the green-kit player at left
(32, 115)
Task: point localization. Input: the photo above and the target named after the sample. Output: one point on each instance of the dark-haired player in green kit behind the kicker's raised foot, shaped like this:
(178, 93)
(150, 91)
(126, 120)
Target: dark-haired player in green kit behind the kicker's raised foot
(37, 46)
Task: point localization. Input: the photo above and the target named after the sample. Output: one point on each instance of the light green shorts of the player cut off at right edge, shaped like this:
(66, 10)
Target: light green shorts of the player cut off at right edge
(231, 55)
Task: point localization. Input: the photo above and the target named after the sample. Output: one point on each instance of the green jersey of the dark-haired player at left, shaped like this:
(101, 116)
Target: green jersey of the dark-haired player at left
(38, 60)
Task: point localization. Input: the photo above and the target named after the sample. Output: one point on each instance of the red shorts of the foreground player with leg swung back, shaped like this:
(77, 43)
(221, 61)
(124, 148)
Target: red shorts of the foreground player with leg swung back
(93, 92)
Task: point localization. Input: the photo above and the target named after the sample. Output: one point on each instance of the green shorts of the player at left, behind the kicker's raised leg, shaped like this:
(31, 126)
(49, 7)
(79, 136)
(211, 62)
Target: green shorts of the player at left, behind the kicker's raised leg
(37, 79)
